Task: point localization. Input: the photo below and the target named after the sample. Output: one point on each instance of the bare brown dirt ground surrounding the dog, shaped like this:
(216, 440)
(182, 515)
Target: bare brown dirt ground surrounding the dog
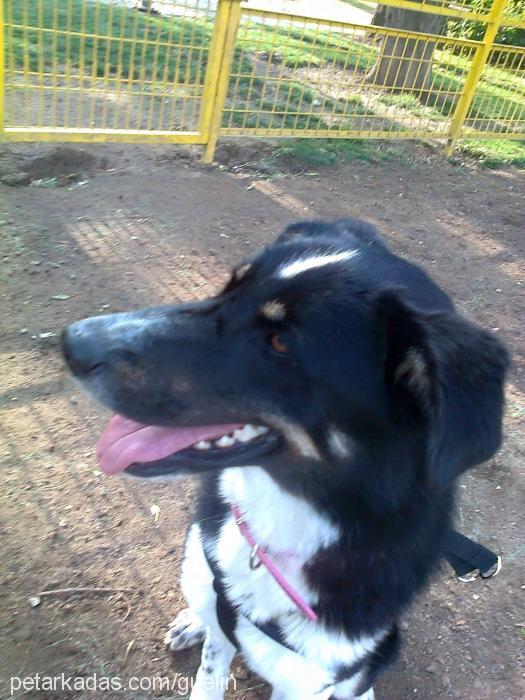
(132, 226)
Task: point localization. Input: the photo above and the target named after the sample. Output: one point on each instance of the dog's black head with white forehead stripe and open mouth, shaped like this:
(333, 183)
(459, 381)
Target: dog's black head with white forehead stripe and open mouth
(324, 354)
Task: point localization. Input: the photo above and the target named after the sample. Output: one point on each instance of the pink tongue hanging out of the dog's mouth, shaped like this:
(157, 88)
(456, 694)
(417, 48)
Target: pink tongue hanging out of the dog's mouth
(124, 442)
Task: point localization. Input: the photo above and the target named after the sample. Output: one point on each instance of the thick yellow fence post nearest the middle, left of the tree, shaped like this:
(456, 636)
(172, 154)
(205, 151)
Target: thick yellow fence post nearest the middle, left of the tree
(218, 72)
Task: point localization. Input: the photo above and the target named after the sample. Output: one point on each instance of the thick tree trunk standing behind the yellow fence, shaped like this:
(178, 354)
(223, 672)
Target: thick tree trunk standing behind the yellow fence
(405, 64)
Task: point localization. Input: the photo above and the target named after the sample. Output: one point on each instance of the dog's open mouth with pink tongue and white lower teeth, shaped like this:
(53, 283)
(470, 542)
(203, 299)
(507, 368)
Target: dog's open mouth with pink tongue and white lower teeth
(152, 450)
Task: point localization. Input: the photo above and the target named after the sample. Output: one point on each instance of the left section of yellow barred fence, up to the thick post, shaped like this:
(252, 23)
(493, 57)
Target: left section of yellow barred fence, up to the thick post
(111, 70)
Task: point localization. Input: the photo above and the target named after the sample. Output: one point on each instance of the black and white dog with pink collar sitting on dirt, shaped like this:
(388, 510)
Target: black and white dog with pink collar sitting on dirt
(331, 395)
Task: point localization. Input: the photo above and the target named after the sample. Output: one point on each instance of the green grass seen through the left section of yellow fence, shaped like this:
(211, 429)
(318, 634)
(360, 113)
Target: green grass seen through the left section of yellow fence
(149, 49)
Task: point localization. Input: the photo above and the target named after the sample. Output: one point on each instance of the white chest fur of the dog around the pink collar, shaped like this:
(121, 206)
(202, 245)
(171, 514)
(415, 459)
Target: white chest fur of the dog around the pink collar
(292, 531)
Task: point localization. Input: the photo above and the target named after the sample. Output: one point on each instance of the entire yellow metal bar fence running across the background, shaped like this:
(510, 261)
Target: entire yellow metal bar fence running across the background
(189, 71)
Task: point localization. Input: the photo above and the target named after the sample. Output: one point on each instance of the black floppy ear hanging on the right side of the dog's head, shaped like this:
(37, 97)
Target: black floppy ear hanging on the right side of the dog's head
(453, 373)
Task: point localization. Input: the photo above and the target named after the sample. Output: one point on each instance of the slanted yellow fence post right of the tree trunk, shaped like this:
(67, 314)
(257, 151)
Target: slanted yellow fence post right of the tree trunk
(481, 56)
